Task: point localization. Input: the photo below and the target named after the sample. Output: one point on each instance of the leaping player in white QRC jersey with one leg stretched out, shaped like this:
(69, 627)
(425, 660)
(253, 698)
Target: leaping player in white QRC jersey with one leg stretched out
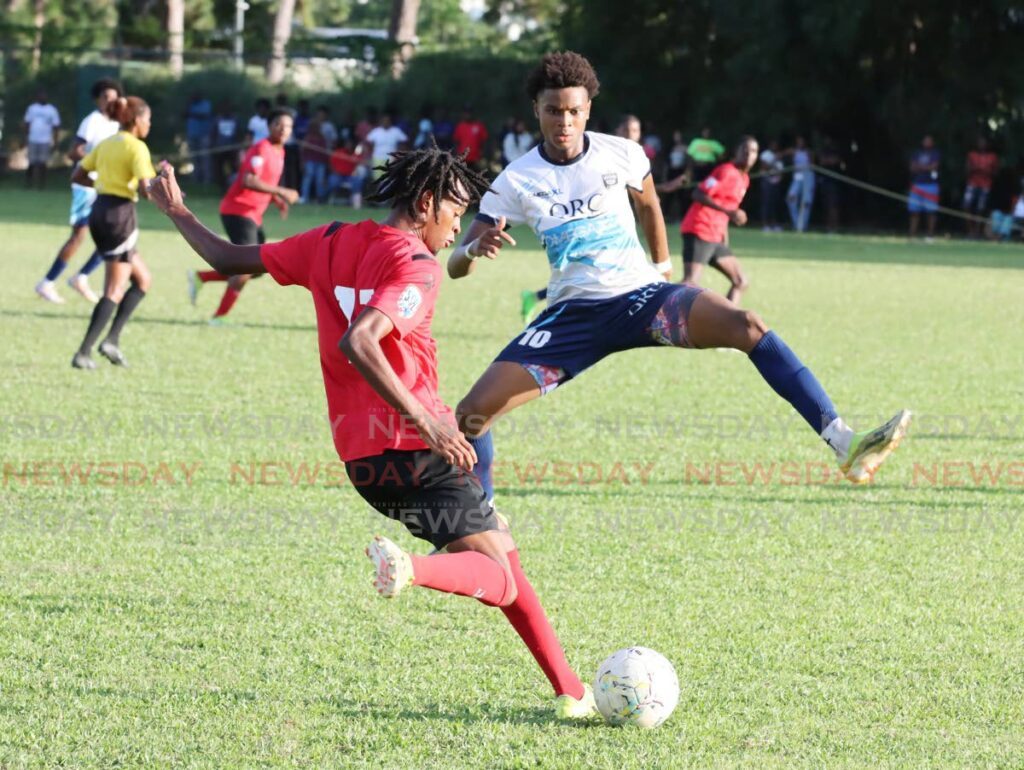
(574, 191)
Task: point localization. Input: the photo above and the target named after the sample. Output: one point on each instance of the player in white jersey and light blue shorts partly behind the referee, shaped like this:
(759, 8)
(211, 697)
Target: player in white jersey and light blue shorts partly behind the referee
(94, 130)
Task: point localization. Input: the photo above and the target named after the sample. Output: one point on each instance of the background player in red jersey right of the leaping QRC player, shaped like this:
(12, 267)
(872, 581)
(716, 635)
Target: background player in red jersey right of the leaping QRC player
(706, 227)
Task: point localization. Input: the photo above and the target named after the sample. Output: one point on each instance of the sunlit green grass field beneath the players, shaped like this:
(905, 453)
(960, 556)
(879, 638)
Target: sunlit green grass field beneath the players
(191, 595)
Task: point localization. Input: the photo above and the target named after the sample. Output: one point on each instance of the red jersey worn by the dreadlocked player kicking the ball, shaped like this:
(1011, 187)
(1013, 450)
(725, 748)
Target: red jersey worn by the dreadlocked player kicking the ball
(349, 269)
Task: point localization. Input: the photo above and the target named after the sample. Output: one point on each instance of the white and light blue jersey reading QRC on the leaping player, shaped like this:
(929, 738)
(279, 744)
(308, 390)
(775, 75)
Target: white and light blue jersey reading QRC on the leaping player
(581, 212)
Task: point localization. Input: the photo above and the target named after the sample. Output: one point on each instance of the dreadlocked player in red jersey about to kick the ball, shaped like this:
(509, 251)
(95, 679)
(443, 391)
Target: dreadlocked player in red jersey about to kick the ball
(374, 288)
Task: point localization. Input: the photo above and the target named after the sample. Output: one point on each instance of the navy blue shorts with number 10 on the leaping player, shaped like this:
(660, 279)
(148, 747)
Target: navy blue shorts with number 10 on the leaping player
(575, 335)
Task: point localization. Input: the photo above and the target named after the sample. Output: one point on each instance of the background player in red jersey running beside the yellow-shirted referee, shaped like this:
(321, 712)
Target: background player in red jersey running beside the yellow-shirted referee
(242, 209)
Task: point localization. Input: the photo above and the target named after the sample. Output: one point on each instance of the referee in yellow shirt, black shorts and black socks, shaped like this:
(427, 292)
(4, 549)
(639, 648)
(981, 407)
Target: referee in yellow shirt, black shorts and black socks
(123, 172)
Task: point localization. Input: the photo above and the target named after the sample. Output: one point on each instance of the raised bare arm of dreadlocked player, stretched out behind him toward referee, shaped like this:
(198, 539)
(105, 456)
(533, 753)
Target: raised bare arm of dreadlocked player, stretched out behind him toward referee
(222, 255)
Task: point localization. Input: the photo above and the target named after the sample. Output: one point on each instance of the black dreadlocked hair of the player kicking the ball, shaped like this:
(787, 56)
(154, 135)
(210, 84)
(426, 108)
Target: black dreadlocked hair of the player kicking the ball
(408, 175)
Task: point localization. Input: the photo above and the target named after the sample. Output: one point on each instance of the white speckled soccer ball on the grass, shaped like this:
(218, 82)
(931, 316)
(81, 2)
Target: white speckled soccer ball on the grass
(636, 687)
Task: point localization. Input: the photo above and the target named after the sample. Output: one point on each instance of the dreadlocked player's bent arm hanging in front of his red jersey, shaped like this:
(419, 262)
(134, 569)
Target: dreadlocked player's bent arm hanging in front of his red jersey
(362, 346)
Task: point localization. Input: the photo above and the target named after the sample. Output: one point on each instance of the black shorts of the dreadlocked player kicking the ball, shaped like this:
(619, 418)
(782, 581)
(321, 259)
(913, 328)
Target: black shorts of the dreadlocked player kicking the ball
(436, 501)
